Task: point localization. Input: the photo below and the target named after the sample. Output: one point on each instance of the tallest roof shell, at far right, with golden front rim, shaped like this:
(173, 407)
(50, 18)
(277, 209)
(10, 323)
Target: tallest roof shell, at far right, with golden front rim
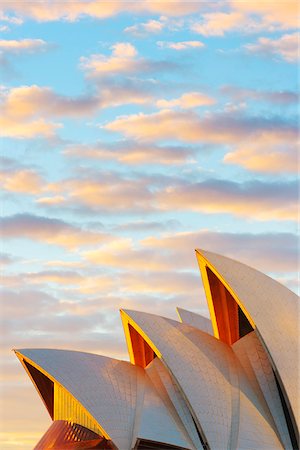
(269, 307)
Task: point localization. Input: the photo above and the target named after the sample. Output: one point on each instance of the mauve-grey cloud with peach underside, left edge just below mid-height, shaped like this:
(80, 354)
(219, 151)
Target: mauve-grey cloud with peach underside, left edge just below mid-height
(48, 231)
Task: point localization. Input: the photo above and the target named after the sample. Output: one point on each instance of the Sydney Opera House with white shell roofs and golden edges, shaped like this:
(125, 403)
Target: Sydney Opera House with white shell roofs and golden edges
(225, 383)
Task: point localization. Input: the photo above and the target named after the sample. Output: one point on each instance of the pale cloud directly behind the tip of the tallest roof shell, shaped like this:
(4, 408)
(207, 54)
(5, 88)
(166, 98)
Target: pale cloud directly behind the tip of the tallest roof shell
(268, 252)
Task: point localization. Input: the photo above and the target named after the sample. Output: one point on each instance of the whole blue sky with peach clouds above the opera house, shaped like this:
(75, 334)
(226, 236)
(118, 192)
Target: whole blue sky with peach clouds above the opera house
(131, 134)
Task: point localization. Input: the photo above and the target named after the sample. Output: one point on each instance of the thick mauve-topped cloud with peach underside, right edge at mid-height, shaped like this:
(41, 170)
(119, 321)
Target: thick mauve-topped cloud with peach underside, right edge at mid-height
(262, 200)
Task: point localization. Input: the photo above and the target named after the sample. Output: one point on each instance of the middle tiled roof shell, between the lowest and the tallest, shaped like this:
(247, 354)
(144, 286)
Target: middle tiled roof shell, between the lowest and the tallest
(210, 379)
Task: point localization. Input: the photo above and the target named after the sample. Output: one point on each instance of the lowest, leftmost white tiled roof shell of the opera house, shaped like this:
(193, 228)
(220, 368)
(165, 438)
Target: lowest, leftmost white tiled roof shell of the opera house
(119, 395)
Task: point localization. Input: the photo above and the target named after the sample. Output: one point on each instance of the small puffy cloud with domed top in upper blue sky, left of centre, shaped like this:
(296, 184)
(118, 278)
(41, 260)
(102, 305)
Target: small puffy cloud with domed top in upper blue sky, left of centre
(124, 60)
